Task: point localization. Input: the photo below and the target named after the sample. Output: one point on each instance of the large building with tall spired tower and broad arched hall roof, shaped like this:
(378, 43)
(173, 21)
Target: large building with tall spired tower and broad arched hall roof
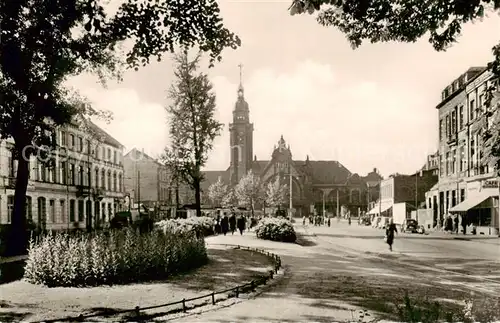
(324, 186)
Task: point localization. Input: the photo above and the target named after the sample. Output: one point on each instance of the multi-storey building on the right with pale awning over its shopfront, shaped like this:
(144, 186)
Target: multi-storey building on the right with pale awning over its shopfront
(467, 186)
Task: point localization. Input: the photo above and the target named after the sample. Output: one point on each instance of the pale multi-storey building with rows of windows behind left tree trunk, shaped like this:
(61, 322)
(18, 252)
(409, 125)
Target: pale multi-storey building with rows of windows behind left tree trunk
(82, 187)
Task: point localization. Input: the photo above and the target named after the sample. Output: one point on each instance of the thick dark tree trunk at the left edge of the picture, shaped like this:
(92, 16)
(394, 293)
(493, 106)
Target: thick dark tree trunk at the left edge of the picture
(18, 239)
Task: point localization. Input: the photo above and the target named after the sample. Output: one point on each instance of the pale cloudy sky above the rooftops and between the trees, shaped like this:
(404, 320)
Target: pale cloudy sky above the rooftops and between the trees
(370, 107)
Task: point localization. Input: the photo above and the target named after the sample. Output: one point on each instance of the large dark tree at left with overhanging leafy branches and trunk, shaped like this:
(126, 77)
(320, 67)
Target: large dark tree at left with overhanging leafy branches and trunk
(43, 42)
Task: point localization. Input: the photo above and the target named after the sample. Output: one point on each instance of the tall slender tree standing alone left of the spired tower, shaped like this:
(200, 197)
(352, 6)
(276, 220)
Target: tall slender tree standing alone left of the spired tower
(193, 126)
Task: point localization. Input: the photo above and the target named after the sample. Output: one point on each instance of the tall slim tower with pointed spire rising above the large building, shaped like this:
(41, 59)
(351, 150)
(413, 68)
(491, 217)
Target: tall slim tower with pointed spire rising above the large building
(241, 137)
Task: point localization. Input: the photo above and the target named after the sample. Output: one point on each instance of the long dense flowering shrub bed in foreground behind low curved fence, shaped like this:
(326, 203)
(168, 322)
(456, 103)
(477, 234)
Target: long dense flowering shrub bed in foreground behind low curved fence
(114, 257)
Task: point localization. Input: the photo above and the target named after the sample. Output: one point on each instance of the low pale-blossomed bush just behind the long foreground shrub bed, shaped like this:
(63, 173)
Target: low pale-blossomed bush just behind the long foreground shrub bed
(201, 226)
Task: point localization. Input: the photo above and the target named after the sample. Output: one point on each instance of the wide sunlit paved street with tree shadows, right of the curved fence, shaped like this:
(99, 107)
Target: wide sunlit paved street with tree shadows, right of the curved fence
(349, 268)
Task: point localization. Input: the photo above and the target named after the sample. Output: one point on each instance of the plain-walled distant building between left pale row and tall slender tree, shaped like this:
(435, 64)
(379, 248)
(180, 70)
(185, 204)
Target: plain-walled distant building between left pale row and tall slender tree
(149, 182)
